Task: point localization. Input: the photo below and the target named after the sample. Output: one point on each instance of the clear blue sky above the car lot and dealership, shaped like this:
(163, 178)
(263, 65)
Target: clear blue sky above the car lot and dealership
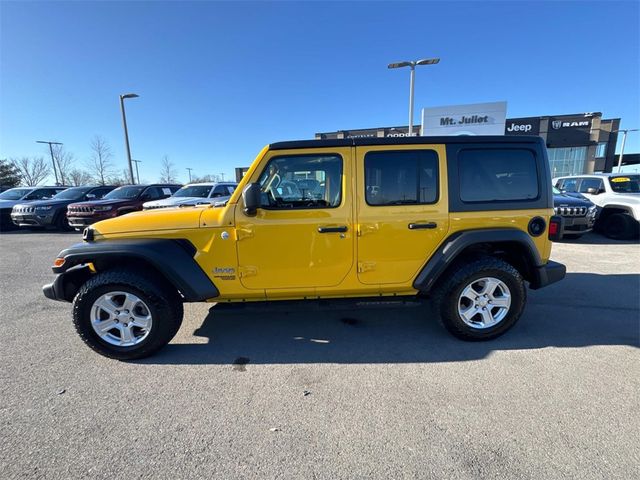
(218, 81)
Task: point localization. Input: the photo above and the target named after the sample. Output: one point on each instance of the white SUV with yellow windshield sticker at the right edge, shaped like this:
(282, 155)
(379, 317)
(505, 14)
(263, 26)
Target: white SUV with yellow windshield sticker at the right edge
(617, 196)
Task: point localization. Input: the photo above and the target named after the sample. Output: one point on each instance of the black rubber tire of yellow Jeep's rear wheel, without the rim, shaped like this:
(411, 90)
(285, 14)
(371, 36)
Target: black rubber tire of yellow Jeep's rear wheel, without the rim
(446, 296)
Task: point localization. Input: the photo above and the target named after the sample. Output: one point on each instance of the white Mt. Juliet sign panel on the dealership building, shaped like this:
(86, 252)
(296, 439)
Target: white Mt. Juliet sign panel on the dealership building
(474, 119)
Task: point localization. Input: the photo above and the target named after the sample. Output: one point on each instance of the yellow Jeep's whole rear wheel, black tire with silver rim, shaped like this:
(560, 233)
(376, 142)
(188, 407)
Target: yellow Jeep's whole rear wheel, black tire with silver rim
(481, 300)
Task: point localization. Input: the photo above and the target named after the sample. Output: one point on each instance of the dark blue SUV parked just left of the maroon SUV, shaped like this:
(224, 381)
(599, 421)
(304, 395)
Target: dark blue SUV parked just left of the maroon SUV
(53, 212)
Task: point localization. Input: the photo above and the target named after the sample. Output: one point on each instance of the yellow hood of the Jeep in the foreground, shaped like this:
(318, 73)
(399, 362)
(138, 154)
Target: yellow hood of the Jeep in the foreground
(150, 221)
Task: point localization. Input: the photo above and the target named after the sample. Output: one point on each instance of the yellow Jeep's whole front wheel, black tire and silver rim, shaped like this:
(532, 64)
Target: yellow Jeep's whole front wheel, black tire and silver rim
(125, 316)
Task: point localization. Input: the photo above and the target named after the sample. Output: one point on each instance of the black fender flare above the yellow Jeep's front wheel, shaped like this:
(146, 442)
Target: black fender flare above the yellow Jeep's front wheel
(173, 258)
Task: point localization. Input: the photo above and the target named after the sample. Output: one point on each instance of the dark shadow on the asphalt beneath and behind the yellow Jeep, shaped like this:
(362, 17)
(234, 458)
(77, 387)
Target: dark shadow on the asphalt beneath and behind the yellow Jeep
(583, 310)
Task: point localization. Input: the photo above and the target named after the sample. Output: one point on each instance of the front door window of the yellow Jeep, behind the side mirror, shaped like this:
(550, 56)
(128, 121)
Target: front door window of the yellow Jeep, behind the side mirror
(302, 181)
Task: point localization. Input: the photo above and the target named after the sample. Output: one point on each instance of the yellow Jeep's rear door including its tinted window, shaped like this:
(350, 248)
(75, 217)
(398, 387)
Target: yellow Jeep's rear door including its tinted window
(402, 210)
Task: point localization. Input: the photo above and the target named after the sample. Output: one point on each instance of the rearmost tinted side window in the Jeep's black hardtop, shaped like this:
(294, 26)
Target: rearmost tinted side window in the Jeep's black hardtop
(489, 175)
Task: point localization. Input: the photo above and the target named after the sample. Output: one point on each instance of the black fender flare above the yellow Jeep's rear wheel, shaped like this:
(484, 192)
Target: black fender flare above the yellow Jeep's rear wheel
(459, 241)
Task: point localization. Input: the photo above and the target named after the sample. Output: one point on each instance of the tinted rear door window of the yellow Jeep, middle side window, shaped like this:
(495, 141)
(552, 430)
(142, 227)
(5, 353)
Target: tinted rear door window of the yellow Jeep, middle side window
(405, 177)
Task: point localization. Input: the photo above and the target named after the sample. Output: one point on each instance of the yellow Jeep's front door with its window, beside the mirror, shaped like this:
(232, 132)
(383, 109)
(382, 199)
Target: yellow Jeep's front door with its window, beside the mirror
(302, 236)
